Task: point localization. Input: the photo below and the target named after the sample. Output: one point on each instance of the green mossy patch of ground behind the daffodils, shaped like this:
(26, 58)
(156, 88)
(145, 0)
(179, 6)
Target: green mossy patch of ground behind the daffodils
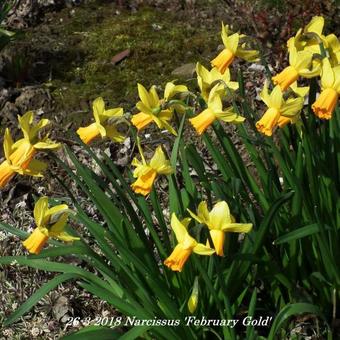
(77, 49)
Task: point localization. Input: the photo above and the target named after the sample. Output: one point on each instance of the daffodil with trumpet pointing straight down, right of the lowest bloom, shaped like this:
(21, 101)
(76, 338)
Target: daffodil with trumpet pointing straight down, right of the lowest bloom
(219, 221)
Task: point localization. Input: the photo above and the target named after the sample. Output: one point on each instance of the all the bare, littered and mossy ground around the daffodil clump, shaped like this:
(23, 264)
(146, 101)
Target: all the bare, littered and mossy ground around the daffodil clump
(69, 52)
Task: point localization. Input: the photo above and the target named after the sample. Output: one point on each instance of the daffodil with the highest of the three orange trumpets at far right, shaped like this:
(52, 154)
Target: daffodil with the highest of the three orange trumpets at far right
(301, 63)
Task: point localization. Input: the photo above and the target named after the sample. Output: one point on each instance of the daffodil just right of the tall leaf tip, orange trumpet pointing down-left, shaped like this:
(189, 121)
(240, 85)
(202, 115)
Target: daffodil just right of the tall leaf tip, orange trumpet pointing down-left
(214, 111)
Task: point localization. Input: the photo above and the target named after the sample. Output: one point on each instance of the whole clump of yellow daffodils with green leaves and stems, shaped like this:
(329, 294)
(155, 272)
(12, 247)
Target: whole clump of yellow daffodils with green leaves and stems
(189, 267)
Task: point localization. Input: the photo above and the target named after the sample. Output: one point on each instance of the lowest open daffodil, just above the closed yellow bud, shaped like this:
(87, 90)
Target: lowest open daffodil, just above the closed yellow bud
(186, 245)
